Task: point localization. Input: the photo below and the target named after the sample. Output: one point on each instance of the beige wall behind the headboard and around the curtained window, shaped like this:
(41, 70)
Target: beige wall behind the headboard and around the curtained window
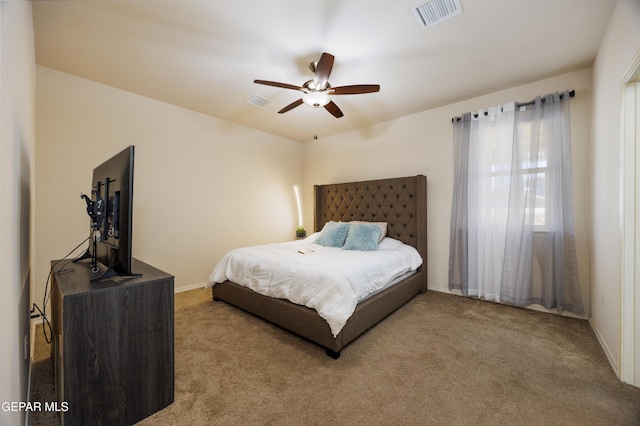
(422, 144)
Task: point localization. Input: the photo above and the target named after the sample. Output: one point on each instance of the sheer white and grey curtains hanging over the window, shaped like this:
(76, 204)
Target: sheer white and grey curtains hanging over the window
(512, 233)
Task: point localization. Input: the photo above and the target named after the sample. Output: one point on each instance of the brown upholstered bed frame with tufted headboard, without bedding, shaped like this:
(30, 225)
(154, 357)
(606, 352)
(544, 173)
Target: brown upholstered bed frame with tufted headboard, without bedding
(402, 204)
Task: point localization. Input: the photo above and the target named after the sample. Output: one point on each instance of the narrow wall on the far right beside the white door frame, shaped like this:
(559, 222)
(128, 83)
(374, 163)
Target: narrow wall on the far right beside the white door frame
(617, 50)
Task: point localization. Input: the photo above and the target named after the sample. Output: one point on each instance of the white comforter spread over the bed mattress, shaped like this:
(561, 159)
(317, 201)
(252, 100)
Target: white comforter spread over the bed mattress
(330, 280)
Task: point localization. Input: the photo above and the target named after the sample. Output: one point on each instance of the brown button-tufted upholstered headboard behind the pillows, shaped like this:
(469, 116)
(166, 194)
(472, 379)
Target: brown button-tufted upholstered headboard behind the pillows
(401, 202)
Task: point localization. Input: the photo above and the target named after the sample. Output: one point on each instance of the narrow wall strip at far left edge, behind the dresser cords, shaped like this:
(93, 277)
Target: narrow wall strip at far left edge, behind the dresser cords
(17, 138)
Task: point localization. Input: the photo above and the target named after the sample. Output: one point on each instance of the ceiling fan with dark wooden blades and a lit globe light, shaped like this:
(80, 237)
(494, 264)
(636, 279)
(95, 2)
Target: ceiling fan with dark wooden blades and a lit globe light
(316, 92)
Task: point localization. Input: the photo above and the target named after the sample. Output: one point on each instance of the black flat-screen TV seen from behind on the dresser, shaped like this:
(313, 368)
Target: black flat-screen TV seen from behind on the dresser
(110, 210)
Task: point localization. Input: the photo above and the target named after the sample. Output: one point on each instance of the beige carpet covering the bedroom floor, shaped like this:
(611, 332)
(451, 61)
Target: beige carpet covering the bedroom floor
(439, 360)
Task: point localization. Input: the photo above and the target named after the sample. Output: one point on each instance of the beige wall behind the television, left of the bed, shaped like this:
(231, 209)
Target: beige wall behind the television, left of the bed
(202, 186)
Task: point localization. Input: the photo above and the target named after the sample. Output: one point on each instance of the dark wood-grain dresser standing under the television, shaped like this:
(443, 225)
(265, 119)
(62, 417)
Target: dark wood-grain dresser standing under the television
(112, 344)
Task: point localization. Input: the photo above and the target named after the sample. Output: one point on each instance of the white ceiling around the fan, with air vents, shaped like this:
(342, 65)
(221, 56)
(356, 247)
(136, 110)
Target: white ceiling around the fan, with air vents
(203, 55)
